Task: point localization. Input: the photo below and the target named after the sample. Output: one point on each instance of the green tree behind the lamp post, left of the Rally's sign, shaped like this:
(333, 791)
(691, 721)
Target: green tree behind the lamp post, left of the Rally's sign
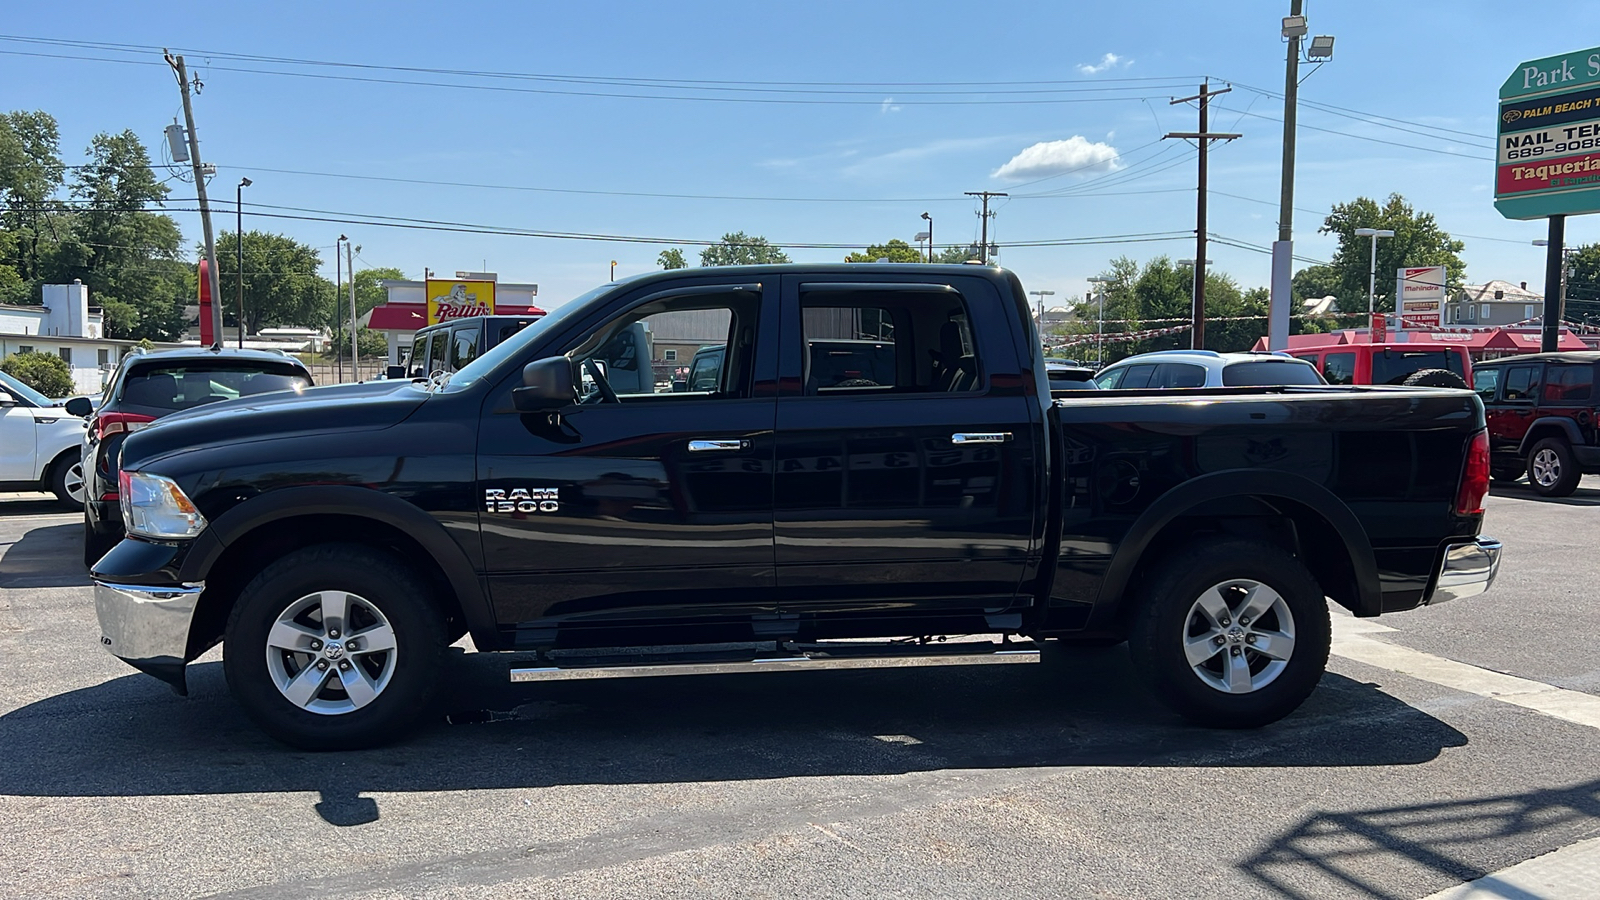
(282, 286)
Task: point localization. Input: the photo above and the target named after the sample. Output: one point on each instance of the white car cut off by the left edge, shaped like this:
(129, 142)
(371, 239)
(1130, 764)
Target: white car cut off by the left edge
(39, 444)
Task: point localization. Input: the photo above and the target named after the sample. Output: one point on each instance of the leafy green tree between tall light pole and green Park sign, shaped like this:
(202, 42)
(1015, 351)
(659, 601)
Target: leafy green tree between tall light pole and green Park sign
(1418, 241)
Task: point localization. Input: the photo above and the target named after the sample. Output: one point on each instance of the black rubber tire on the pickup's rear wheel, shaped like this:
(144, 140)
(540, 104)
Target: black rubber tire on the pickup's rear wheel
(1167, 621)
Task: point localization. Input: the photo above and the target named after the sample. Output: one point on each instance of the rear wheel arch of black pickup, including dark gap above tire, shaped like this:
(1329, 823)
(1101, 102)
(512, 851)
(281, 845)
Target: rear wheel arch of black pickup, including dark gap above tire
(1326, 536)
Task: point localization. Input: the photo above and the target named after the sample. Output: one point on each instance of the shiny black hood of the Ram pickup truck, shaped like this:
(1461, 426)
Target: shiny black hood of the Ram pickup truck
(337, 408)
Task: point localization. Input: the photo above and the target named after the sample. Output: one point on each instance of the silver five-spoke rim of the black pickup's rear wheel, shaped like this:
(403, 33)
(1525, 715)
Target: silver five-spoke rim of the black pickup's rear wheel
(1239, 637)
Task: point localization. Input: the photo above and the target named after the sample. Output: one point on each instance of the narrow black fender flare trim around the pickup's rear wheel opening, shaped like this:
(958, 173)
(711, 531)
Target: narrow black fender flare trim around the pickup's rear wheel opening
(1244, 483)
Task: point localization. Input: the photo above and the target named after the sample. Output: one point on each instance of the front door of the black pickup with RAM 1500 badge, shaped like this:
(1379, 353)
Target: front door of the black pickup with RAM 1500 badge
(641, 504)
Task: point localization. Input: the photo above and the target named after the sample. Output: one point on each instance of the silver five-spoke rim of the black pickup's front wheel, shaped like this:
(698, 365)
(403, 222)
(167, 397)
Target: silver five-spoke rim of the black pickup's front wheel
(332, 653)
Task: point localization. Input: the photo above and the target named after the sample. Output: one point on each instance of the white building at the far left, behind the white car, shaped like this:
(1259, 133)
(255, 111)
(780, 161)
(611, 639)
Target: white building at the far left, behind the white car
(70, 327)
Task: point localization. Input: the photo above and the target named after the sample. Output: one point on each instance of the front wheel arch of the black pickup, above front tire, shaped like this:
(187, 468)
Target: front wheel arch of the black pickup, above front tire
(254, 534)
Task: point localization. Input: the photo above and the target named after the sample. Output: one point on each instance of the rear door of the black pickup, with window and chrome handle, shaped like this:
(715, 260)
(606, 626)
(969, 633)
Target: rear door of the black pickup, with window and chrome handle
(911, 489)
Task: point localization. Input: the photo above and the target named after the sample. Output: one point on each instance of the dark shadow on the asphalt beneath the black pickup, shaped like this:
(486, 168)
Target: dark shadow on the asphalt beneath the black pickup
(134, 737)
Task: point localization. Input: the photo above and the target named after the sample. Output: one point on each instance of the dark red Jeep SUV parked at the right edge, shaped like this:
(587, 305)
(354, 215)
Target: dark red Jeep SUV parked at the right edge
(1542, 416)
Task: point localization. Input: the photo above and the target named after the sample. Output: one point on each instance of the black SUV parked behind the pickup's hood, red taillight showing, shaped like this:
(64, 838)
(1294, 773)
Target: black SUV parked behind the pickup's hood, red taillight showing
(148, 387)
